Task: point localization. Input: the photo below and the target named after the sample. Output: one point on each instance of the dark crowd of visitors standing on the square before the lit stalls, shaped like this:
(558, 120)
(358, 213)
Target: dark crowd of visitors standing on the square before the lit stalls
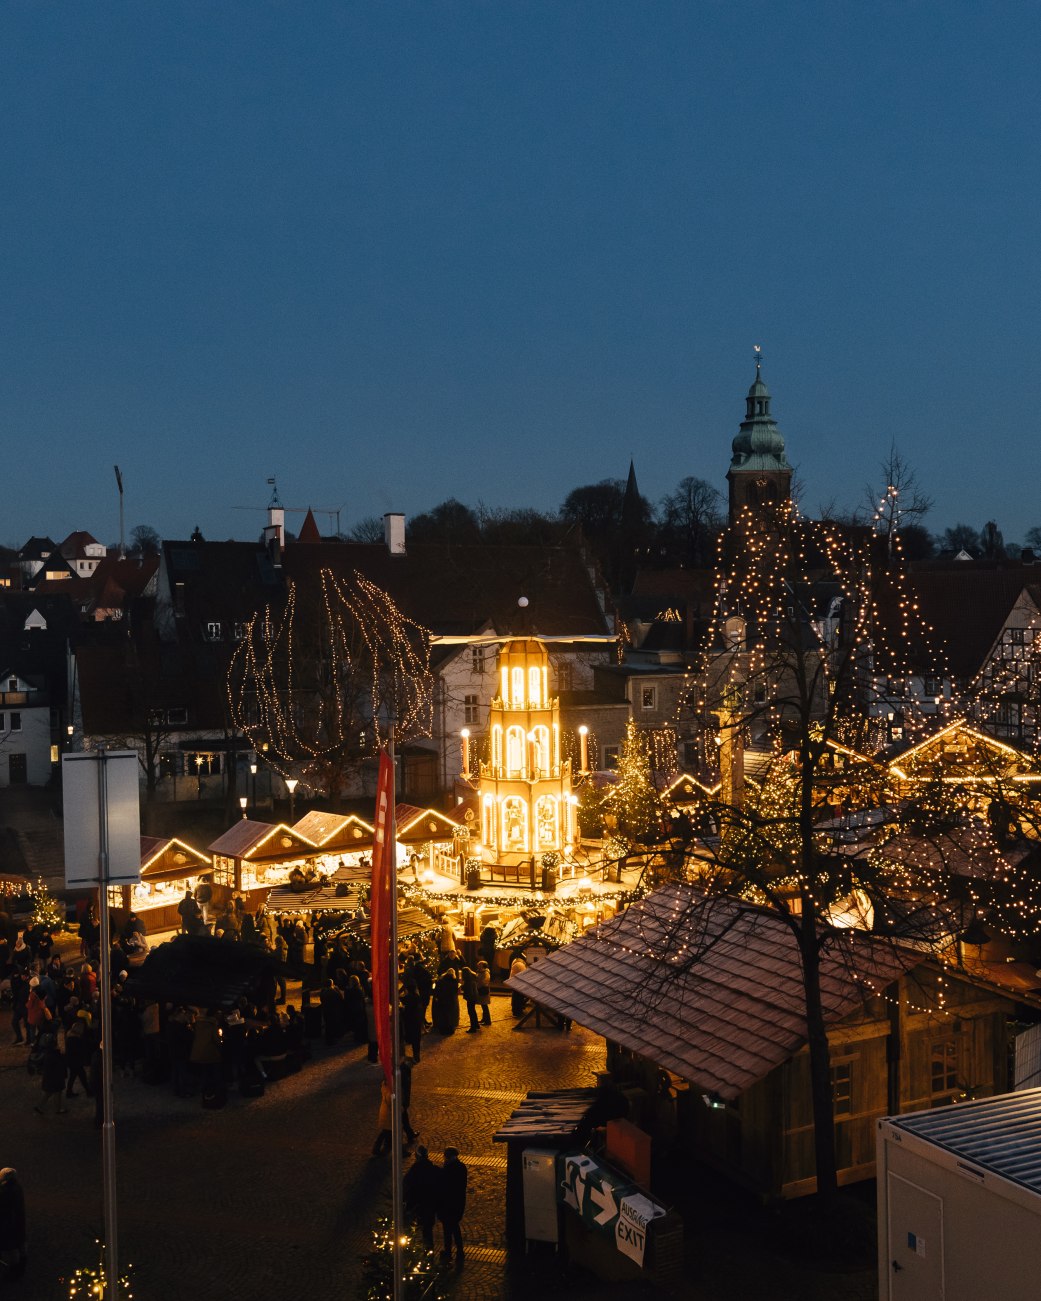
(206, 1051)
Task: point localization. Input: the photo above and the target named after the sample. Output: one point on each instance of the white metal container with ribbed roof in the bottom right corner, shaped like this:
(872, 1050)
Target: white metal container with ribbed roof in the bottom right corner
(960, 1201)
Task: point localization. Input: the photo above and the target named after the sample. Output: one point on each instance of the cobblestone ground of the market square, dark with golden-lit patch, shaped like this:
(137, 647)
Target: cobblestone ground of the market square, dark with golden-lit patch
(274, 1198)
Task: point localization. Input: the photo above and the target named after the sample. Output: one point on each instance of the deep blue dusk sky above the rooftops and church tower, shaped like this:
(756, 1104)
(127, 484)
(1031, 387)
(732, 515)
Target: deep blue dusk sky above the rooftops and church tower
(394, 253)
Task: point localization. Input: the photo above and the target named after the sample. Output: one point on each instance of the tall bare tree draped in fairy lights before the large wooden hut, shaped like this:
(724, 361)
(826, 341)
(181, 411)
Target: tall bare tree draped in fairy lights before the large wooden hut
(815, 626)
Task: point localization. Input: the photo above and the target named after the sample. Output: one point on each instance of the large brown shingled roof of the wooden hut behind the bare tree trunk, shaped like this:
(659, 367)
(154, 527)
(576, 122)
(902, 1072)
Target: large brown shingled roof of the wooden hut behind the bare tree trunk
(710, 988)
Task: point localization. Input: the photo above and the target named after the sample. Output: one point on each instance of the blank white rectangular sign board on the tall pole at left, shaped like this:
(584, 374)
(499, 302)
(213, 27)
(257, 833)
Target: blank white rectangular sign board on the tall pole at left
(81, 777)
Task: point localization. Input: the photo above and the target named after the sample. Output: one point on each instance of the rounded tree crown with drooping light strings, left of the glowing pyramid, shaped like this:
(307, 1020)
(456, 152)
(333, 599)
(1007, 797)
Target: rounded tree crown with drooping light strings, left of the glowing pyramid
(316, 681)
